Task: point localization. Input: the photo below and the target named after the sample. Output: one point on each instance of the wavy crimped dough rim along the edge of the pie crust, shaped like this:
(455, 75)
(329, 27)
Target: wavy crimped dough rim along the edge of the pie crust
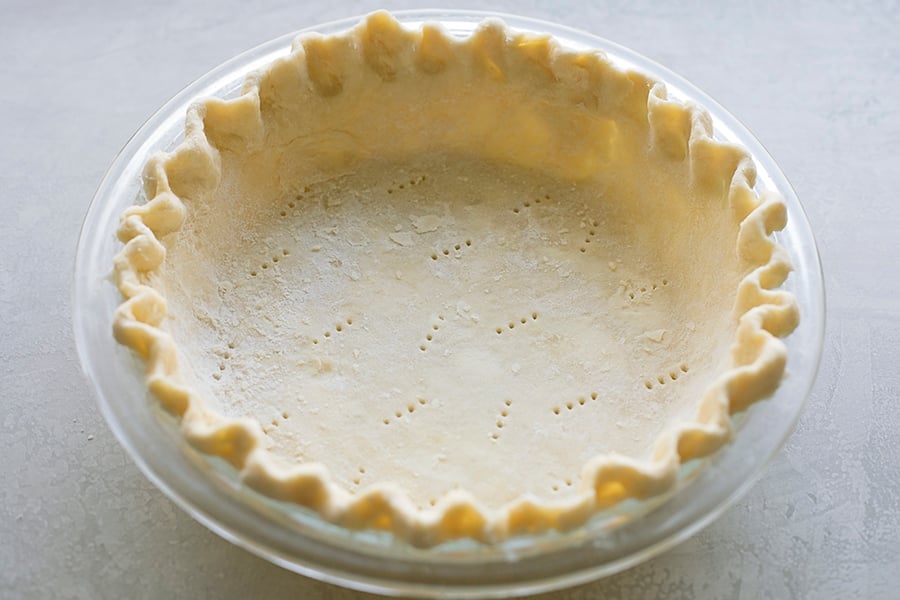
(681, 130)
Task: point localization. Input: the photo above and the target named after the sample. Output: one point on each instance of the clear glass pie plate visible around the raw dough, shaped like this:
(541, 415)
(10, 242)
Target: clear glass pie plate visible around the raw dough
(297, 539)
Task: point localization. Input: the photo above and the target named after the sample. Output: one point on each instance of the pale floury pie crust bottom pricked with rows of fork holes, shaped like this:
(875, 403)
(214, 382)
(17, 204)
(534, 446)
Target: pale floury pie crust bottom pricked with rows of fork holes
(452, 323)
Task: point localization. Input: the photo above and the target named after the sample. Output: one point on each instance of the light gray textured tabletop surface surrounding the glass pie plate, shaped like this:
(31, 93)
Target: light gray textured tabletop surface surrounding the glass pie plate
(817, 82)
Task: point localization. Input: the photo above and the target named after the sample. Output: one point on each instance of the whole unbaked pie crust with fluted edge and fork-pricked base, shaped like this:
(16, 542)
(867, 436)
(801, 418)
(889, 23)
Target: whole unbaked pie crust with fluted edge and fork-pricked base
(453, 288)
